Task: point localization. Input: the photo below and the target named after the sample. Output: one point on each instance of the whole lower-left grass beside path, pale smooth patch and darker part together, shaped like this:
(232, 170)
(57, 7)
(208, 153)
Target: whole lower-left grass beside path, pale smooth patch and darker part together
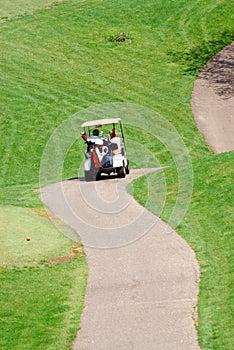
(42, 293)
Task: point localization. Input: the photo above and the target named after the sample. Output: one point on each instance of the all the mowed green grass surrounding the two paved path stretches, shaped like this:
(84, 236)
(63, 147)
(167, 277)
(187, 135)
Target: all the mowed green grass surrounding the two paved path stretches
(57, 60)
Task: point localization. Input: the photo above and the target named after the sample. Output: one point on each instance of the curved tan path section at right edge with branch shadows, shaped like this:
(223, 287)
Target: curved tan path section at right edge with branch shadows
(213, 101)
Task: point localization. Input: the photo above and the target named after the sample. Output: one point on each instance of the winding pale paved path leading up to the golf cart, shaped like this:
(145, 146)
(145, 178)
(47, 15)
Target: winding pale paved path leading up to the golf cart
(142, 295)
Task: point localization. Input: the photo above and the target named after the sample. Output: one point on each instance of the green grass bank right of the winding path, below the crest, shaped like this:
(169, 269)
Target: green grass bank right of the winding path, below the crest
(208, 227)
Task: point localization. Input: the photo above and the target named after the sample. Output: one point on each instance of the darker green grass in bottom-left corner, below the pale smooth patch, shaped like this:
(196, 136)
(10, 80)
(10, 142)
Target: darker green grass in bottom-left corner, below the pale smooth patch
(41, 306)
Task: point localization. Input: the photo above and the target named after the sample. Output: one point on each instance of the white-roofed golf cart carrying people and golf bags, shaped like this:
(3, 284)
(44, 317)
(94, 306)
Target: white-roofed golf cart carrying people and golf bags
(106, 151)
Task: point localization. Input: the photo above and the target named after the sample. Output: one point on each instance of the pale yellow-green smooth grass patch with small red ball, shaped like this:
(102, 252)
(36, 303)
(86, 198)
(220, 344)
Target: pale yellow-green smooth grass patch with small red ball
(45, 240)
